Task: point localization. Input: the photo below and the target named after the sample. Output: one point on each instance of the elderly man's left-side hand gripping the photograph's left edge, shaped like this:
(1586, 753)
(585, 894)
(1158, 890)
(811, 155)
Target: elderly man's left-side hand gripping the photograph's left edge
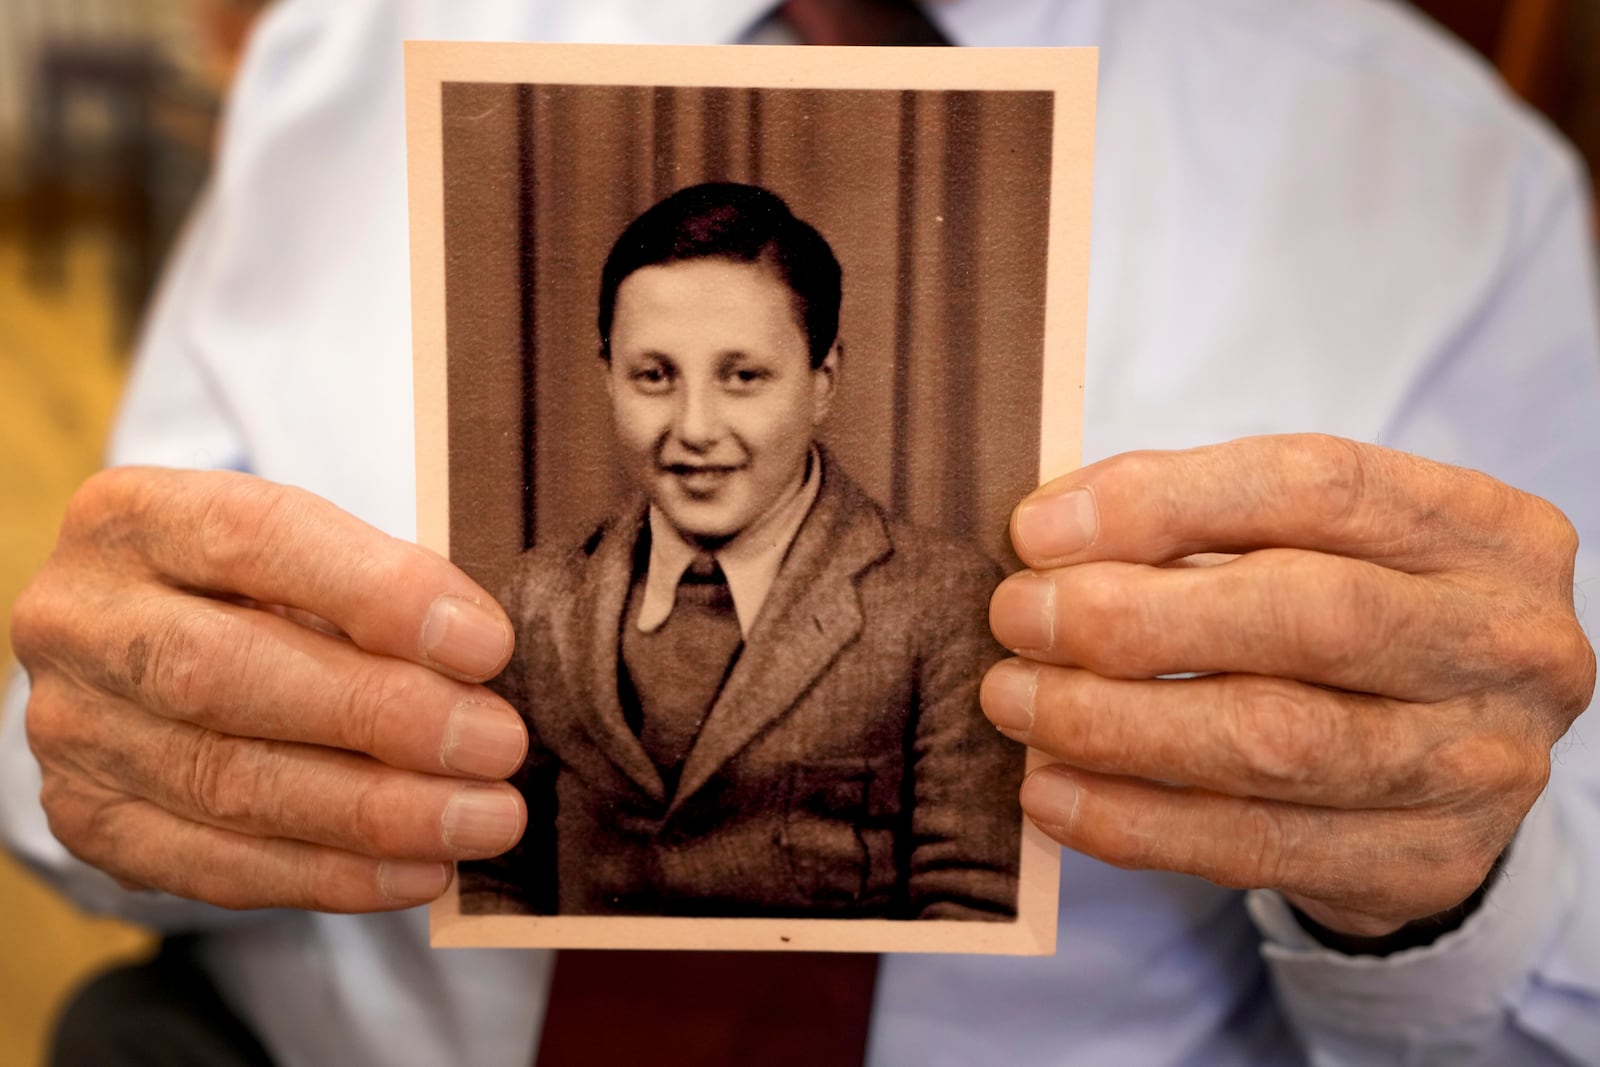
(247, 697)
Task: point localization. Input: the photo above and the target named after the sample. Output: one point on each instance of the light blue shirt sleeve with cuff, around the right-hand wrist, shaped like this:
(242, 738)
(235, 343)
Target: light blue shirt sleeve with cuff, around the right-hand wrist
(1514, 394)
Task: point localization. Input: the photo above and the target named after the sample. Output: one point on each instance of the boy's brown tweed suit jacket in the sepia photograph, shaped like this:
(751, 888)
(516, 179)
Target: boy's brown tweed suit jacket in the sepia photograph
(844, 770)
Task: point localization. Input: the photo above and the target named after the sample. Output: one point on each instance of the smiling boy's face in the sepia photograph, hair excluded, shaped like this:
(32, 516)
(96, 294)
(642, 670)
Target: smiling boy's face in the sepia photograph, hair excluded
(713, 391)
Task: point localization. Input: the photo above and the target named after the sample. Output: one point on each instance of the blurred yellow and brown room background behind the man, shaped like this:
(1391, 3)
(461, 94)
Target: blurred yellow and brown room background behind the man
(108, 111)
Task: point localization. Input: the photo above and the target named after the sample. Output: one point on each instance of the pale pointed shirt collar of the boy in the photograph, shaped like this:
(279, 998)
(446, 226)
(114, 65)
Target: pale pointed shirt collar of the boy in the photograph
(750, 561)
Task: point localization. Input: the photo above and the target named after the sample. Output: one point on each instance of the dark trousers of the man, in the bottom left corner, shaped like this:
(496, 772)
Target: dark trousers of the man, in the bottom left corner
(164, 1013)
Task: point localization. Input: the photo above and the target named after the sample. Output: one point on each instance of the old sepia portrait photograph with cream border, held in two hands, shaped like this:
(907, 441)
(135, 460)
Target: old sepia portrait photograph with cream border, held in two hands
(726, 391)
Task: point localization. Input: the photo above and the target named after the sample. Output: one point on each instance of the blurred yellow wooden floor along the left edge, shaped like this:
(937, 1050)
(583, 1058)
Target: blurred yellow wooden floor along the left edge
(60, 377)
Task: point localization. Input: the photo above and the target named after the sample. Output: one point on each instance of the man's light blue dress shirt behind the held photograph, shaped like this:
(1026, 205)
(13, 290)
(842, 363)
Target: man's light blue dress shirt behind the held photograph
(1308, 217)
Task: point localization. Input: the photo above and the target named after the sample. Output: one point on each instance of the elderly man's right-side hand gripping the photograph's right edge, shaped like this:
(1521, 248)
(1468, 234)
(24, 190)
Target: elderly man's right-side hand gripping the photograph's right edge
(1383, 669)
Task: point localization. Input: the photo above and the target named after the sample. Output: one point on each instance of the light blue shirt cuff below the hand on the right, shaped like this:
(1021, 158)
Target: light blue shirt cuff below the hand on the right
(1462, 980)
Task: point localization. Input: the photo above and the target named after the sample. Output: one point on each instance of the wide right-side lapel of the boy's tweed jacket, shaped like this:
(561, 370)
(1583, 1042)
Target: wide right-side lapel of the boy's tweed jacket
(812, 613)
